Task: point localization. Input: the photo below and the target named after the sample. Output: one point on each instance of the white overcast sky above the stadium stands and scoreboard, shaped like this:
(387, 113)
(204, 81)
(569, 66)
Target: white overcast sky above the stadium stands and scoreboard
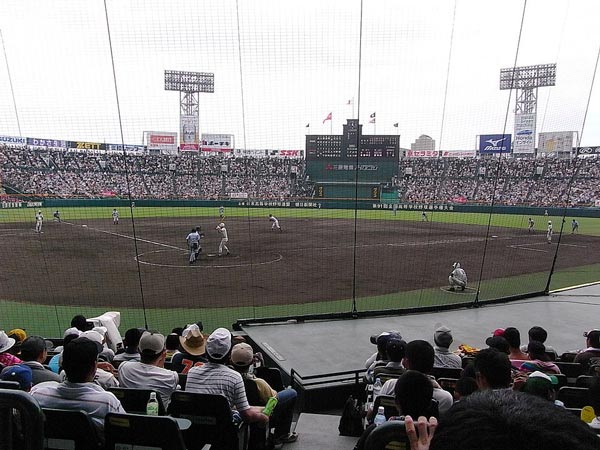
(299, 61)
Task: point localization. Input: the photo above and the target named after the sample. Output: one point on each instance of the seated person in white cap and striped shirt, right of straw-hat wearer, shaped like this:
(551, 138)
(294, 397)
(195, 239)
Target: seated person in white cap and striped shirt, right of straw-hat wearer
(215, 377)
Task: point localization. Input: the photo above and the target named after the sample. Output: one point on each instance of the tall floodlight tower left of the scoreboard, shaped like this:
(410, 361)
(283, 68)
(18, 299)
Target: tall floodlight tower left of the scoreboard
(189, 85)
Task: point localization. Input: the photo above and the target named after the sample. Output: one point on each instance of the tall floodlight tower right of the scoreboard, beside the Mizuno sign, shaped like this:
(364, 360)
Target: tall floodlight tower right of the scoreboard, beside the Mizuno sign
(526, 80)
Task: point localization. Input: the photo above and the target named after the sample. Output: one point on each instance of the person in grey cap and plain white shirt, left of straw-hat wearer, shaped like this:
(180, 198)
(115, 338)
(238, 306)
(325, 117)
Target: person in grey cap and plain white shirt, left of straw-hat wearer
(149, 372)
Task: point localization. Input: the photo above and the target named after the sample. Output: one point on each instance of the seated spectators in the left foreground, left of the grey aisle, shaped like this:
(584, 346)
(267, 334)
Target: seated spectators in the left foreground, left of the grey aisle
(80, 373)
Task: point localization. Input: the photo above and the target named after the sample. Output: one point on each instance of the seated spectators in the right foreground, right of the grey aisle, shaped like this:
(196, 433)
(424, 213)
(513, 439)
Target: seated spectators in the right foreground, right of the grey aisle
(508, 395)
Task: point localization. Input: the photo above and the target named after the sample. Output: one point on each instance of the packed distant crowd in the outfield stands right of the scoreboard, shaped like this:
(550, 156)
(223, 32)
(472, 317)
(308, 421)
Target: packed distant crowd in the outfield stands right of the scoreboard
(506, 181)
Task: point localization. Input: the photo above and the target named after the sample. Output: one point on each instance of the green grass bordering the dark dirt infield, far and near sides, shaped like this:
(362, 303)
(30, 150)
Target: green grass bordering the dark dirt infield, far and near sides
(52, 320)
